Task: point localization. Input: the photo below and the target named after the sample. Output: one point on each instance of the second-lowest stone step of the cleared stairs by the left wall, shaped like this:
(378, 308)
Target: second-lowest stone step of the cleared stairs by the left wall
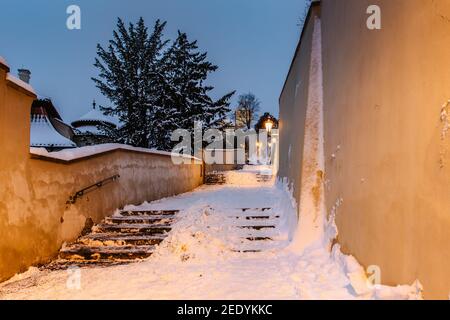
(81, 252)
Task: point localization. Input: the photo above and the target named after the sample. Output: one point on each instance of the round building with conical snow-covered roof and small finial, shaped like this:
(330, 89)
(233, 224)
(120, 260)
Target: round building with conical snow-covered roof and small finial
(88, 128)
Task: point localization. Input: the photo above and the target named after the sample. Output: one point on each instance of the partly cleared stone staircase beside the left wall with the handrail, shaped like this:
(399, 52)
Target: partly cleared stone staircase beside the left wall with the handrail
(122, 238)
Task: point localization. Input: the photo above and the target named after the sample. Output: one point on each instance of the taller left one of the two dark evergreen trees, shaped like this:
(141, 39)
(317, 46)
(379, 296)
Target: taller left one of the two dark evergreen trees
(129, 76)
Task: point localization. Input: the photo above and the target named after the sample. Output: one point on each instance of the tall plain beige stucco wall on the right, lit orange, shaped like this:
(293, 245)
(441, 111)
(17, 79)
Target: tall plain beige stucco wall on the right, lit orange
(383, 95)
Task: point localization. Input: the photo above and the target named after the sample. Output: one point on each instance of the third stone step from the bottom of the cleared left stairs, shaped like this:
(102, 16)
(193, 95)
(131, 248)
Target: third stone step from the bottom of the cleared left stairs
(137, 239)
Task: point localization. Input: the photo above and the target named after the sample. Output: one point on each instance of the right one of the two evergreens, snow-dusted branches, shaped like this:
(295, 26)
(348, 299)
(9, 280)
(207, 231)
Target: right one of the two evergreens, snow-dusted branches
(187, 97)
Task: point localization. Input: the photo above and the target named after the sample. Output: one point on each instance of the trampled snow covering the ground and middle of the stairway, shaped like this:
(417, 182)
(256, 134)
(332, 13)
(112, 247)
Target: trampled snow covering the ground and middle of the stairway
(195, 261)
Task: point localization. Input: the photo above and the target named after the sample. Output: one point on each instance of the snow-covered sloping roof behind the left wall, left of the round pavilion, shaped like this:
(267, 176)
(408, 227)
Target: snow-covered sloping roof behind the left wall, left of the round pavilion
(43, 134)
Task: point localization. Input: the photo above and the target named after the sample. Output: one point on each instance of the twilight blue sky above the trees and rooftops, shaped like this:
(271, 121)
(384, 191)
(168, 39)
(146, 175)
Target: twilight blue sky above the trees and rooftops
(252, 42)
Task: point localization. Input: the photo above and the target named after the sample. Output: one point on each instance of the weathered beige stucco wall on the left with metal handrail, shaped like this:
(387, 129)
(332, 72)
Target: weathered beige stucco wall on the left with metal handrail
(34, 217)
